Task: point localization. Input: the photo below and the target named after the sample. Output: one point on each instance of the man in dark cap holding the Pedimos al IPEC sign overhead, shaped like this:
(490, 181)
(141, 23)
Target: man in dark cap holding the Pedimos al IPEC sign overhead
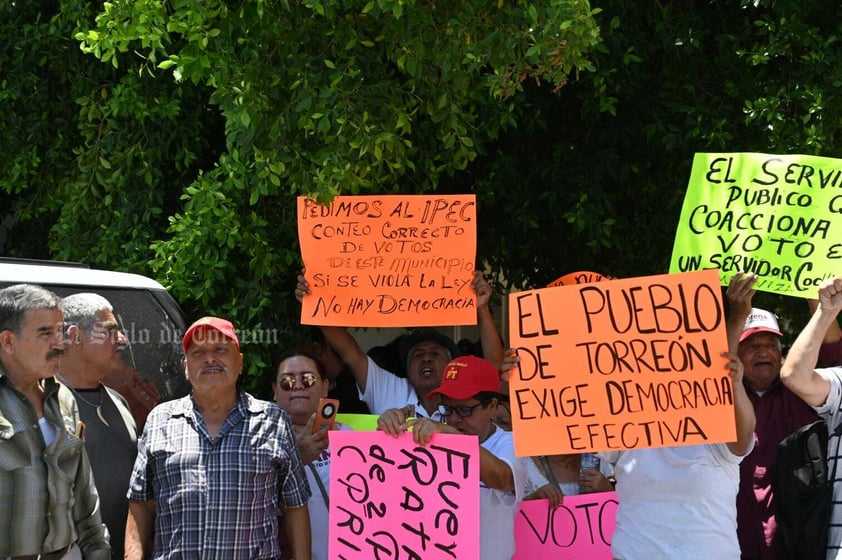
(424, 354)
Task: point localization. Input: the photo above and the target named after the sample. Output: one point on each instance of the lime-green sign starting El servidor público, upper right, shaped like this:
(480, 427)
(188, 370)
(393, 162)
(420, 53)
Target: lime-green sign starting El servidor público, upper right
(777, 216)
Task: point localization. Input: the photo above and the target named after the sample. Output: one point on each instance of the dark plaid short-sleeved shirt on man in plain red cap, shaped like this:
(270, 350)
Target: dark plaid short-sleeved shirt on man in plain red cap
(218, 498)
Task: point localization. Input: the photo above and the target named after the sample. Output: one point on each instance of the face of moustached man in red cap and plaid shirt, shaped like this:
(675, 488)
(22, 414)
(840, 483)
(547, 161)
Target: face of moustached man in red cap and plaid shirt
(212, 362)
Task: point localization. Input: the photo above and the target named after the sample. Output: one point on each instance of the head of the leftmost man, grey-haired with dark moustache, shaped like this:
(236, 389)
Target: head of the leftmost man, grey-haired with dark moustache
(35, 351)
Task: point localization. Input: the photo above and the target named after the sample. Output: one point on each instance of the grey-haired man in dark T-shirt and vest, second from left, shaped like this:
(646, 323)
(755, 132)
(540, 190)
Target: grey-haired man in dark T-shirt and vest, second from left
(94, 346)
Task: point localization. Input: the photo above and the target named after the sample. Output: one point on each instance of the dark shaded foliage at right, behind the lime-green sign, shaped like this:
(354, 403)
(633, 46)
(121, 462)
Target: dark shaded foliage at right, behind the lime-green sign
(596, 180)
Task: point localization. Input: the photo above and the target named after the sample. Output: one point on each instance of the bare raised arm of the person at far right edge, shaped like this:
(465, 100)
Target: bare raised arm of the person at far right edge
(798, 372)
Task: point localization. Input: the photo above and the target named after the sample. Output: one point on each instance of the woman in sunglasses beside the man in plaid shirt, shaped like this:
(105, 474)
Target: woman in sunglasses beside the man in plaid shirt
(297, 386)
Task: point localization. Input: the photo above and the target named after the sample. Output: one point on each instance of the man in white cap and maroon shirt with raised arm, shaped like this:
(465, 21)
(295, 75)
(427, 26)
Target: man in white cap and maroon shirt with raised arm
(778, 410)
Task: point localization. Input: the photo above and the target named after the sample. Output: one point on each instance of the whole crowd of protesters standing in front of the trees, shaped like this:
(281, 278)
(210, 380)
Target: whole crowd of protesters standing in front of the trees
(220, 474)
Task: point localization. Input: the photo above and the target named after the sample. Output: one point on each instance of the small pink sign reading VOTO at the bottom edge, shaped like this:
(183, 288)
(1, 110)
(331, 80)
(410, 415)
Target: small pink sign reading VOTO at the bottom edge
(581, 527)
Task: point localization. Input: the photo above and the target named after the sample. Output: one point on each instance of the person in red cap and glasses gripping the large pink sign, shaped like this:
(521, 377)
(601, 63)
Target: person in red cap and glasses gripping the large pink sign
(469, 396)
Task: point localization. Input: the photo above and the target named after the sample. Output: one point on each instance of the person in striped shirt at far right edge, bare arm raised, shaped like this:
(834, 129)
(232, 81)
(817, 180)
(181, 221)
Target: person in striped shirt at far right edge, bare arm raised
(822, 389)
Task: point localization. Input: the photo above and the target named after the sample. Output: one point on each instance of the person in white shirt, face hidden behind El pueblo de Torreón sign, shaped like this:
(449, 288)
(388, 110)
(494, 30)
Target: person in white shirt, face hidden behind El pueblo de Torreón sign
(680, 502)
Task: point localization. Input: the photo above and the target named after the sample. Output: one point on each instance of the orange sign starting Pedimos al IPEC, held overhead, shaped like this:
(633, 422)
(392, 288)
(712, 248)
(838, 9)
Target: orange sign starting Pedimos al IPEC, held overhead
(389, 261)
